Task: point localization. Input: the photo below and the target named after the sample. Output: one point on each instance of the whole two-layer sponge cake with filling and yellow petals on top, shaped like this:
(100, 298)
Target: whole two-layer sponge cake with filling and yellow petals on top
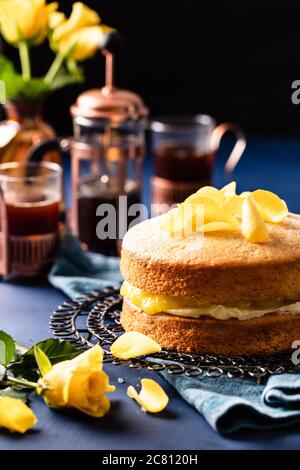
(226, 282)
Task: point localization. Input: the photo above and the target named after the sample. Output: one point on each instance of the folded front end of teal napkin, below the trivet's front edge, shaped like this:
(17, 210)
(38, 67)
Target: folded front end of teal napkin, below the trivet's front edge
(230, 405)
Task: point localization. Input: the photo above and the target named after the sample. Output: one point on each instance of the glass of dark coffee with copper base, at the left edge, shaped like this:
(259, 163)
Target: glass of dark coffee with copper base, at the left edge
(30, 200)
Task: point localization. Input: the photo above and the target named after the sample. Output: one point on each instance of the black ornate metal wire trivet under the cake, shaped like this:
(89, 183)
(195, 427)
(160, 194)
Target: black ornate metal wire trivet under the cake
(95, 318)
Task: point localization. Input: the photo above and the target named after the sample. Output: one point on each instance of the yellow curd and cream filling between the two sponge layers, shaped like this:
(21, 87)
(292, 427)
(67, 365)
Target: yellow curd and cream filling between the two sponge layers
(194, 308)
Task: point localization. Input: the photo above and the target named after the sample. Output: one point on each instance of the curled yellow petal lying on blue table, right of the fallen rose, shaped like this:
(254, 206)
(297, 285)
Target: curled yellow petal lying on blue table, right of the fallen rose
(152, 397)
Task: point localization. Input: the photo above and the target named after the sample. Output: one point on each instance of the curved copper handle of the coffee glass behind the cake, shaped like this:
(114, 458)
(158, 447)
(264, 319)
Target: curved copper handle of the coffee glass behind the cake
(238, 148)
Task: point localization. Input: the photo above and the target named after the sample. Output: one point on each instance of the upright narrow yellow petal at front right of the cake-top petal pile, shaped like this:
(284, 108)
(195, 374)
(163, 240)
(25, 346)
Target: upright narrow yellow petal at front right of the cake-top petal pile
(253, 226)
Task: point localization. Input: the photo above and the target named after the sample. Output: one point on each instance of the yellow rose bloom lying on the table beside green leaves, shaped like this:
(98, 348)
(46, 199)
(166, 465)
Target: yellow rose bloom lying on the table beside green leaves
(79, 383)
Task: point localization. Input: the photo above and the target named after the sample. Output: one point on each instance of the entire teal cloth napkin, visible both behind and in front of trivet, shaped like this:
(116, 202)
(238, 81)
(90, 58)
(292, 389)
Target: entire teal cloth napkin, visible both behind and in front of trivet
(228, 405)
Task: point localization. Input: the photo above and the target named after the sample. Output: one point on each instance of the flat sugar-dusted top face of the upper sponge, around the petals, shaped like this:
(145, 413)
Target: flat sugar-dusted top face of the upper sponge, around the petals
(148, 241)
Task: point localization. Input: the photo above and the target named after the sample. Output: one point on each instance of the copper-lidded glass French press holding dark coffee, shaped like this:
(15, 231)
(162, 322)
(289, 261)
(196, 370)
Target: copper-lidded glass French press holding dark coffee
(107, 153)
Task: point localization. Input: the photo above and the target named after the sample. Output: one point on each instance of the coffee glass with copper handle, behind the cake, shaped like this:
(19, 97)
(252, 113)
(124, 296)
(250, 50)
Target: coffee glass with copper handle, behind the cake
(184, 151)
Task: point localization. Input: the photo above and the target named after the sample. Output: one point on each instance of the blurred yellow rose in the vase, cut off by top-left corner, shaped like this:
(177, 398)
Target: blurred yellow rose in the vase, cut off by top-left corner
(25, 20)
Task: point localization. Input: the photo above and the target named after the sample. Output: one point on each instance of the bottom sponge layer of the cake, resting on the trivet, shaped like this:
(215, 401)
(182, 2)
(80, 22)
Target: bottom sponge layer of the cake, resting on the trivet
(264, 335)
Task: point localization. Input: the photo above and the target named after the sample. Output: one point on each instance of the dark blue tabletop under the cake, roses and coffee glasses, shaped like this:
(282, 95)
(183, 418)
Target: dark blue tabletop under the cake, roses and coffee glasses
(25, 310)
